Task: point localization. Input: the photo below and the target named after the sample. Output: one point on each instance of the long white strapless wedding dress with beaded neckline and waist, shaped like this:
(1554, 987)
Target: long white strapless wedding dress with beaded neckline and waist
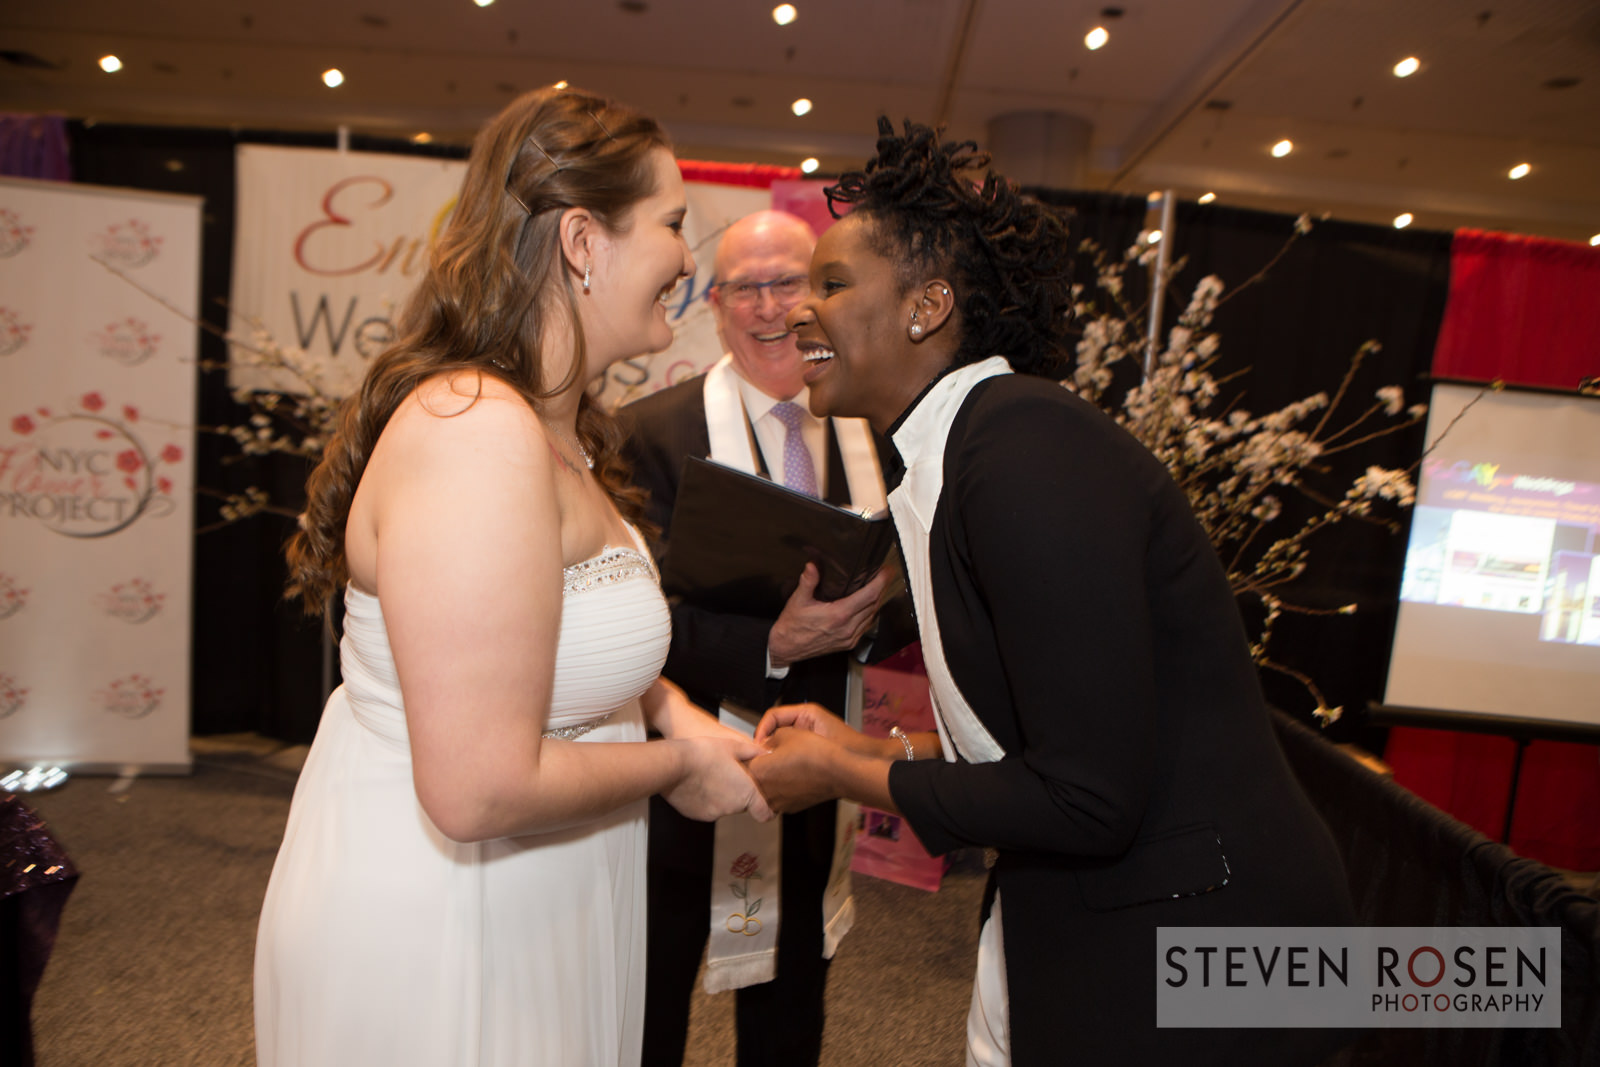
(386, 945)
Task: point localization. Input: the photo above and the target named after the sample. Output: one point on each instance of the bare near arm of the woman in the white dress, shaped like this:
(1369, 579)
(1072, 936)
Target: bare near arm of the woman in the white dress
(465, 514)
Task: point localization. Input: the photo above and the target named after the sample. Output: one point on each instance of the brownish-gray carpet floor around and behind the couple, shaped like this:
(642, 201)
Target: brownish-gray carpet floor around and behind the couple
(154, 959)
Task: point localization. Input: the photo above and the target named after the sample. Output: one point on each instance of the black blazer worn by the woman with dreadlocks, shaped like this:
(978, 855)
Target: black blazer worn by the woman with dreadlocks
(1089, 623)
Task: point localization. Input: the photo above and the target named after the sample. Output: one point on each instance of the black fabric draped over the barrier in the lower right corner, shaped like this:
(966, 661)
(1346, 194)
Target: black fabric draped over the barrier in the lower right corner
(1410, 865)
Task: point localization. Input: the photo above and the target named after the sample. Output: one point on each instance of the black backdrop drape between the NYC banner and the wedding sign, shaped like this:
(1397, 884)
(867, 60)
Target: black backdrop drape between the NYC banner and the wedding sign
(257, 660)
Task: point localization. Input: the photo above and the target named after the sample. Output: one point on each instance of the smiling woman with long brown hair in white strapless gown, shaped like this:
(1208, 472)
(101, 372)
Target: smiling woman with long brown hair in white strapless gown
(463, 874)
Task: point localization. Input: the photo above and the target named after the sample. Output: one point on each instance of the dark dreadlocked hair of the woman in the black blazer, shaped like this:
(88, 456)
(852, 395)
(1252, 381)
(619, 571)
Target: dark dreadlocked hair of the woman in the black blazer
(1009, 257)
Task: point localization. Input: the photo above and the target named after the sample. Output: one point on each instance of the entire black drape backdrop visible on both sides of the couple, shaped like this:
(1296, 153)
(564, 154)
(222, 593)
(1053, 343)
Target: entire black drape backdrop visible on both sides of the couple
(258, 663)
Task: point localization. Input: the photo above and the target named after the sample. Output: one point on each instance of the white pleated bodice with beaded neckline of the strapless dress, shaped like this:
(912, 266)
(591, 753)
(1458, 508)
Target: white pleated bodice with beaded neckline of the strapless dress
(612, 645)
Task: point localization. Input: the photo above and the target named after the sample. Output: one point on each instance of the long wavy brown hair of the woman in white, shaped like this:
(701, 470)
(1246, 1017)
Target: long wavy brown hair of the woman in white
(495, 284)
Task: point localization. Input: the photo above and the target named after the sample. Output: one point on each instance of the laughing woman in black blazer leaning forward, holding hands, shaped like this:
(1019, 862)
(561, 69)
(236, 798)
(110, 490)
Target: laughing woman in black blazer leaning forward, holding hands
(1100, 717)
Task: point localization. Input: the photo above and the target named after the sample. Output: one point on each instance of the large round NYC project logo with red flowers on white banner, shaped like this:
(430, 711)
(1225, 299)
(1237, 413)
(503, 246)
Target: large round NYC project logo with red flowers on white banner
(86, 473)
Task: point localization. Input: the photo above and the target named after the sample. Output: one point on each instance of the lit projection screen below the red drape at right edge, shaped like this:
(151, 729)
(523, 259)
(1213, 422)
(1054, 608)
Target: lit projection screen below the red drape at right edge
(1500, 602)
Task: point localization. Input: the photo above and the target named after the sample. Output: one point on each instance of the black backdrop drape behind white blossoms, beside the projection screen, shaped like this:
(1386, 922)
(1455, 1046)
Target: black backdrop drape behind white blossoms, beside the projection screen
(1290, 337)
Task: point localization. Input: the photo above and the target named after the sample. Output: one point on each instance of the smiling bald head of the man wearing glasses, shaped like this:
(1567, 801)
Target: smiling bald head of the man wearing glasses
(761, 249)
